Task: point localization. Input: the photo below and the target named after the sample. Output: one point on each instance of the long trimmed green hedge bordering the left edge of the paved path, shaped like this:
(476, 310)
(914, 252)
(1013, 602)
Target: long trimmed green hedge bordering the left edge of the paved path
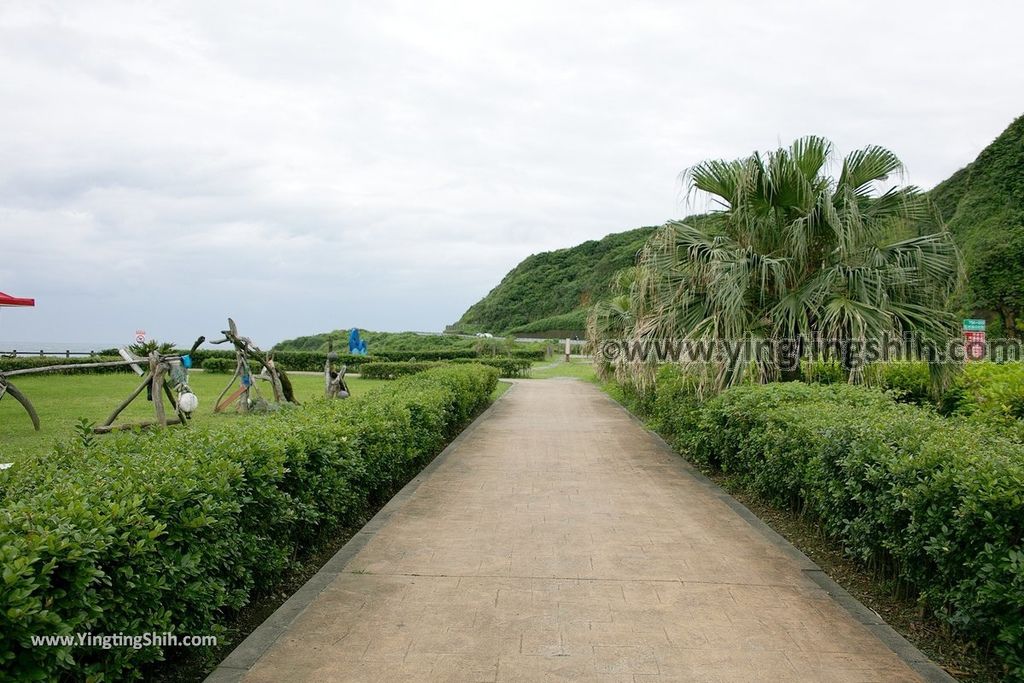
(172, 531)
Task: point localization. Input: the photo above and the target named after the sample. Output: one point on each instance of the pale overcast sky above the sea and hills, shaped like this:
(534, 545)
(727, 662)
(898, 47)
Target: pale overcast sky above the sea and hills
(306, 166)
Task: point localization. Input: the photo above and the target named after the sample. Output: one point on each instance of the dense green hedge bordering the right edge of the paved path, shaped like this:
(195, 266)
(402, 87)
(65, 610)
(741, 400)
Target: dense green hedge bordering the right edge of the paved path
(933, 502)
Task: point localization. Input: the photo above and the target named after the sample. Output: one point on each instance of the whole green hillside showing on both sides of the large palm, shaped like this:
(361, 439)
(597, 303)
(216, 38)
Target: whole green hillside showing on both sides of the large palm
(984, 205)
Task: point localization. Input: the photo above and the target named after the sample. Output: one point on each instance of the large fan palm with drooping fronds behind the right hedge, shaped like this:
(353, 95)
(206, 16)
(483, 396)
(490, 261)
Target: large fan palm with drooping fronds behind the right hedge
(794, 253)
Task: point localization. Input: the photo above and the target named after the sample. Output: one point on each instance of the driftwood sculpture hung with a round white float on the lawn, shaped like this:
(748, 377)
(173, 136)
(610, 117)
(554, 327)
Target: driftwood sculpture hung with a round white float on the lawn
(162, 372)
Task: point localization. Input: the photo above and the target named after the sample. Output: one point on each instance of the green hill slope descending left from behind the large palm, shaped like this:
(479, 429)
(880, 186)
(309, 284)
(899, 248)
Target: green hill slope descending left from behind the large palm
(552, 291)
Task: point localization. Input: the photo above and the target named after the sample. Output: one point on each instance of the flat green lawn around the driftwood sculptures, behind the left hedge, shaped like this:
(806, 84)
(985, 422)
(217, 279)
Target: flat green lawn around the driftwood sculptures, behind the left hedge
(62, 400)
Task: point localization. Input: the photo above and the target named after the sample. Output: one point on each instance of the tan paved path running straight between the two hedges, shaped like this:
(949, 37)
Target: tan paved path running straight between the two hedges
(560, 540)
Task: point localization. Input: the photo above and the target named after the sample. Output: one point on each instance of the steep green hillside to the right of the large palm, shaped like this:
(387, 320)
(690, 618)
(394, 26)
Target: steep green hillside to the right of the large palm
(984, 205)
